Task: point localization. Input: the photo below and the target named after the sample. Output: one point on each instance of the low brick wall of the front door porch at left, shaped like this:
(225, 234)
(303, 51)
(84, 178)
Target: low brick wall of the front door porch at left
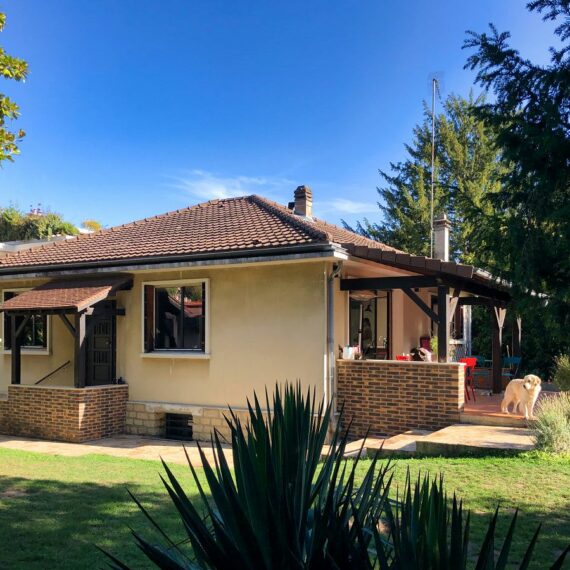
(65, 414)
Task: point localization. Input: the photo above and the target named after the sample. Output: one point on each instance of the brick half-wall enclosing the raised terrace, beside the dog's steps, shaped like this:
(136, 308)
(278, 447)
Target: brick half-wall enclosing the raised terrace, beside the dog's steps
(392, 397)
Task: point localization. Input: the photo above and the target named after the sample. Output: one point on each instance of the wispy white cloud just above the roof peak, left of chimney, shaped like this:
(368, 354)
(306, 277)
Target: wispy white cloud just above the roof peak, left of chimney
(205, 185)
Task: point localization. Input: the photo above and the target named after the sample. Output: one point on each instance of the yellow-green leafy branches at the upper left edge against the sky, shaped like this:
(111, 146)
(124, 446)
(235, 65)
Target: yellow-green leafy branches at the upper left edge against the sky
(17, 70)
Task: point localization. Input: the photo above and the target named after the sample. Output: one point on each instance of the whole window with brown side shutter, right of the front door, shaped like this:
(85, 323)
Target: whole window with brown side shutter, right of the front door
(175, 317)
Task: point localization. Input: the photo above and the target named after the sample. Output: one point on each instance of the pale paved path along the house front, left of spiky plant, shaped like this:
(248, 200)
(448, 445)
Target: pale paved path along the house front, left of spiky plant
(128, 446)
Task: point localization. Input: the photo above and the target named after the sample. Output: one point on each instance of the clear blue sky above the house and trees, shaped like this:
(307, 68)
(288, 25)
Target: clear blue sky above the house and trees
(137, 107)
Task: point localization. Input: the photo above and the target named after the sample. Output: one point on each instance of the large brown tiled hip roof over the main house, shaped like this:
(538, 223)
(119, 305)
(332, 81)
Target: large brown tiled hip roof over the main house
(247, 223)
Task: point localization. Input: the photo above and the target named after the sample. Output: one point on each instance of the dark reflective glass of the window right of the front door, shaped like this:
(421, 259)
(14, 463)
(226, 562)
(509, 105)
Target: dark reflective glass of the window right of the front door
(180, 318)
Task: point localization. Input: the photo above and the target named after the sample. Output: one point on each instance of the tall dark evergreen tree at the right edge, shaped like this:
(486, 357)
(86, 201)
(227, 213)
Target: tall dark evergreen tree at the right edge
(529, 230)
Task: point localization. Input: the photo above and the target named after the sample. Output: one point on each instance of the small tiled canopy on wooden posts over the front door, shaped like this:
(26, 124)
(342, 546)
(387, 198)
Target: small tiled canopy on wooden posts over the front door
(61, 297)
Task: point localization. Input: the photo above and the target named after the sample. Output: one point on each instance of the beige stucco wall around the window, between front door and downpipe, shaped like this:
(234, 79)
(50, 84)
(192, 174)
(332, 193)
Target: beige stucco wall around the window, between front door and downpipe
(267, 325)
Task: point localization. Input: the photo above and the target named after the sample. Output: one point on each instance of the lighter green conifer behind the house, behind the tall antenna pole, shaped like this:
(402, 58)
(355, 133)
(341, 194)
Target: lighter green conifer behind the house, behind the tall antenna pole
(467, 169)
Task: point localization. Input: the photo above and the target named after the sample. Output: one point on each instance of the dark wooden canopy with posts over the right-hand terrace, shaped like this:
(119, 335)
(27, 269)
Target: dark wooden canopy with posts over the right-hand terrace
(450, 280)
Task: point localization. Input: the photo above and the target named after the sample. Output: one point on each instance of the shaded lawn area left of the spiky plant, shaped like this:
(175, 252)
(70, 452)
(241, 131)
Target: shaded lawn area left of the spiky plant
(52, 524)
